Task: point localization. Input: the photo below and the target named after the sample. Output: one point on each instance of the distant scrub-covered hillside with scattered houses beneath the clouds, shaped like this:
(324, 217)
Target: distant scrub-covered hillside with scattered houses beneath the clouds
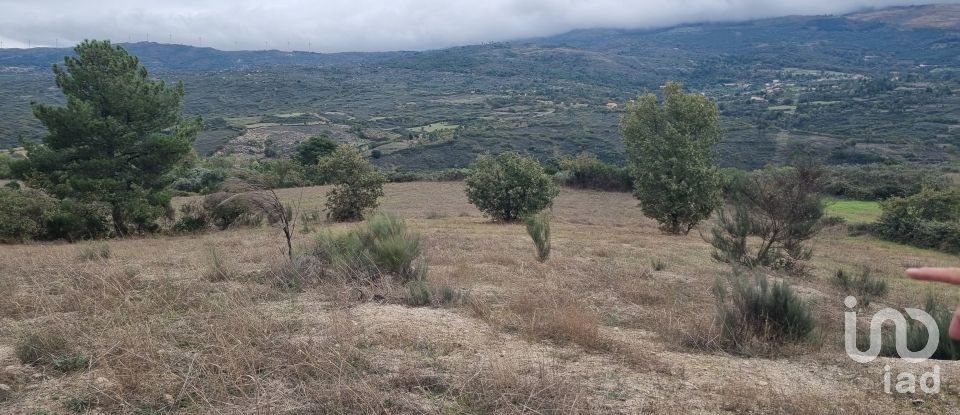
(877, 86)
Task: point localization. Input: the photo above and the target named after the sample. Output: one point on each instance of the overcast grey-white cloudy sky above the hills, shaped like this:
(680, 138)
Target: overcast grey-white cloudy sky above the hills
(367, 25)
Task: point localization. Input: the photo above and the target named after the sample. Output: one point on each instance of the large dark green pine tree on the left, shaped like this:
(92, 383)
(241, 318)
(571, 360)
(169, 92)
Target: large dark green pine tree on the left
(116, 139)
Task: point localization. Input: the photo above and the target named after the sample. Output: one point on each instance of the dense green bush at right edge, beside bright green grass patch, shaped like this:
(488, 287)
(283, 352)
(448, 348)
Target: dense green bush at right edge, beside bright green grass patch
(929, 219)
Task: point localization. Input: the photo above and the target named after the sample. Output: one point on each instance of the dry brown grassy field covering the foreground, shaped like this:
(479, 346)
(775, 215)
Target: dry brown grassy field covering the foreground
(592, 330)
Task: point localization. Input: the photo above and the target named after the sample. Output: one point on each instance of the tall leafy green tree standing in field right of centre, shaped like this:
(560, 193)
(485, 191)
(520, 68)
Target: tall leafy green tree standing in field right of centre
(670, 149)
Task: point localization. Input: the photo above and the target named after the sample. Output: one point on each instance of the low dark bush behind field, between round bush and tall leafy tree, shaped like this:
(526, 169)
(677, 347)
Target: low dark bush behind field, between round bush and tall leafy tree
(586, 171)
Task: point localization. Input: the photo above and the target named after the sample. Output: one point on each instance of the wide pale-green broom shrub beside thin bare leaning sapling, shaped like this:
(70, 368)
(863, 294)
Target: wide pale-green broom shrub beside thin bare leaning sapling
(383, 247)
